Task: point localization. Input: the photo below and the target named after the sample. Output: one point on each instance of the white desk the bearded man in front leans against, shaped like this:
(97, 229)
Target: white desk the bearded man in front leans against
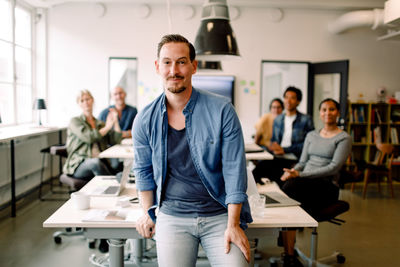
(118, 232)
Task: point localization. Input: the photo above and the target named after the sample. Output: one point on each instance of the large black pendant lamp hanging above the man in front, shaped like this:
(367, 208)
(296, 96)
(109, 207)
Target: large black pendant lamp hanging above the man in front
(215, 39)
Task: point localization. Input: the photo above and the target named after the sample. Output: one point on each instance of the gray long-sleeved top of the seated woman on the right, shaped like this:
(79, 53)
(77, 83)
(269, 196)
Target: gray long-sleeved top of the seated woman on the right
(322, 157)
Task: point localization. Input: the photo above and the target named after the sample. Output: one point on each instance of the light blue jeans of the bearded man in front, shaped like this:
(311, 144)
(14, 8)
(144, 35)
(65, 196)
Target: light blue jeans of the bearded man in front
(178, 240)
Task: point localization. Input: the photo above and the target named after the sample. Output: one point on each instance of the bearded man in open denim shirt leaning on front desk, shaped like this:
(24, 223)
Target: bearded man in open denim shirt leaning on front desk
(189, 162)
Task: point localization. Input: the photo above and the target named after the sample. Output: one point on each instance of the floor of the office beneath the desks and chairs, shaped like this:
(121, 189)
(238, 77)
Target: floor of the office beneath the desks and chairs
(370, 236)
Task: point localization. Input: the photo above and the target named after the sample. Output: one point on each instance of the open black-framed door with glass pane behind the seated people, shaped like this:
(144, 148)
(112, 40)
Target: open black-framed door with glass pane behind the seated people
(328, 79)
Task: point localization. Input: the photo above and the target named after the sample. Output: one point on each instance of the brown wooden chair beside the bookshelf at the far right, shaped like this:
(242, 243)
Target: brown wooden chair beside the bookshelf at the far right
(381, 167)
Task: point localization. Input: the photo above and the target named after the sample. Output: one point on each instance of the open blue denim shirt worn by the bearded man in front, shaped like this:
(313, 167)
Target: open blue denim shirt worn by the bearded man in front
(216, 145)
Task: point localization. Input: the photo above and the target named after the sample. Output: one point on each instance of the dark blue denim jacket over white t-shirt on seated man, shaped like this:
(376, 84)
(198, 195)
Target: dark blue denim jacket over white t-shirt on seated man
(301, 126)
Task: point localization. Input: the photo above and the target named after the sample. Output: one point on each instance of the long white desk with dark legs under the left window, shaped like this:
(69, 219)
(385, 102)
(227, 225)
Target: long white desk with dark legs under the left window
(10, 134)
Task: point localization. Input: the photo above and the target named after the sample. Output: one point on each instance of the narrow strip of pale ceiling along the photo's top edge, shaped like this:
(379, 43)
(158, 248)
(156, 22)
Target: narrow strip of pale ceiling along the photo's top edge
(308, 4)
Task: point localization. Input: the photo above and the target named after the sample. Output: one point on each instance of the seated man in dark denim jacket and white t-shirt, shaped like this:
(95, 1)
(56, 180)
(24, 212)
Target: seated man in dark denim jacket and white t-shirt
(289, 132)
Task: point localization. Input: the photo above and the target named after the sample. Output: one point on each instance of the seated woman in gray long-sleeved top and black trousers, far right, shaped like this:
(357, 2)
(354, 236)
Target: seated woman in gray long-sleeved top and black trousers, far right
(312, 181)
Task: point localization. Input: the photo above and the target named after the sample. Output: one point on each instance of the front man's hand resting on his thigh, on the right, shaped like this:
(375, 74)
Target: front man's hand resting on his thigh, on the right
(236, 235)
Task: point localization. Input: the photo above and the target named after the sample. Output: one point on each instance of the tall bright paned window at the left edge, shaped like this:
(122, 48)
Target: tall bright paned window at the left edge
(15, 63)
